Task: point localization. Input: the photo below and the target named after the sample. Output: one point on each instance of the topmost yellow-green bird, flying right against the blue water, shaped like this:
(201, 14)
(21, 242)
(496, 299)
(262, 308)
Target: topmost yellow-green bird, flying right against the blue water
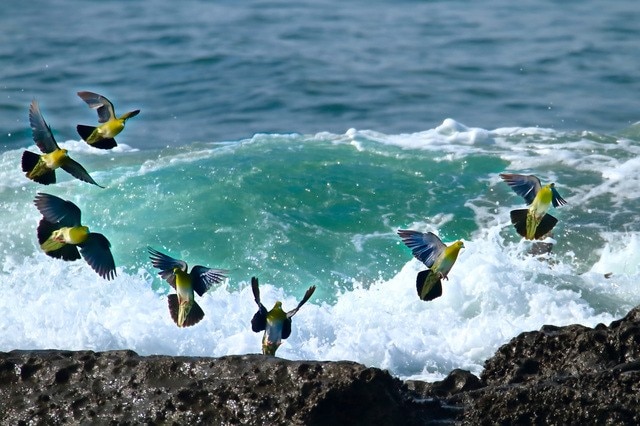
(102, 136)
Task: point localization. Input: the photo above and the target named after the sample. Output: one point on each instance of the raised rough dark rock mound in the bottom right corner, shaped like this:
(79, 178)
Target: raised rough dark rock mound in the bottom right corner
(563, 375)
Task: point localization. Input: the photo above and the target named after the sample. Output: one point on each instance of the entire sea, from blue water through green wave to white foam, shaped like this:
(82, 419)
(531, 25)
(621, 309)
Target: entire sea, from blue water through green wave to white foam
(291, 140)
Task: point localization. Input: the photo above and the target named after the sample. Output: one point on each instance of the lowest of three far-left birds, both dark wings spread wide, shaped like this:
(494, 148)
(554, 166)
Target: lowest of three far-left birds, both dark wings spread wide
(61, 233)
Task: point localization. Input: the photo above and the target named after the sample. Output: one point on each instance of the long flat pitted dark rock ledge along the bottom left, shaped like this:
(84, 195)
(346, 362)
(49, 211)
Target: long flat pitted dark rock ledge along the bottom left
(57, 387)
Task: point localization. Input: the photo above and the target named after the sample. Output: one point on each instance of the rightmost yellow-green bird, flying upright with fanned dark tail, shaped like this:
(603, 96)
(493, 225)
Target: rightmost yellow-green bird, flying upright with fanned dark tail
(534, 222)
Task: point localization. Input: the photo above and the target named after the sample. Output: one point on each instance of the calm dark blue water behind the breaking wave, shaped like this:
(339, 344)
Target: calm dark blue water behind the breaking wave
(205, 71)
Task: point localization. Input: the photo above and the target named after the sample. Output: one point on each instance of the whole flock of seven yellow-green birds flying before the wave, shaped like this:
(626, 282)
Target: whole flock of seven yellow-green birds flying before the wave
(62, 235)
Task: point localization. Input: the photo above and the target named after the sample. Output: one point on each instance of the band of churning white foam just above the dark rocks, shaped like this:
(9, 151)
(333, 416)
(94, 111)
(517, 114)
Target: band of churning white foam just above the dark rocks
(495, 291)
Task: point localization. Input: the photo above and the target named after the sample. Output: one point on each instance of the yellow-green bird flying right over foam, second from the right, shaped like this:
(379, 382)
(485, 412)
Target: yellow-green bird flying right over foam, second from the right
(437, 256)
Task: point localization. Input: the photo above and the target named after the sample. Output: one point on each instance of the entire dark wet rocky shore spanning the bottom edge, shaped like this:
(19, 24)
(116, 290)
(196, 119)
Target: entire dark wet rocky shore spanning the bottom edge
(558, 375)
